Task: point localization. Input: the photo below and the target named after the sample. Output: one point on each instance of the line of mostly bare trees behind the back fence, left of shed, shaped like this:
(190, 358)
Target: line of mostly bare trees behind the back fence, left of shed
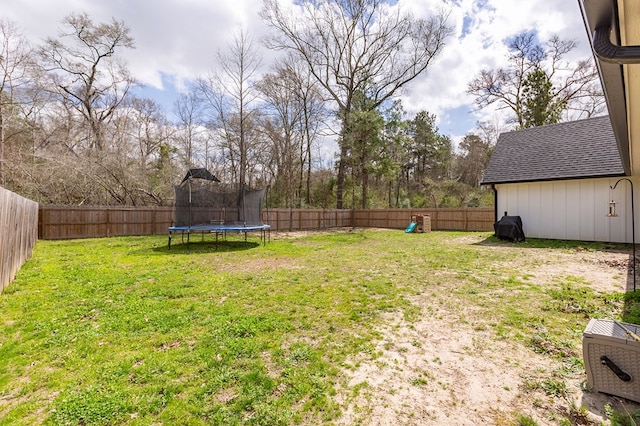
(72, 132)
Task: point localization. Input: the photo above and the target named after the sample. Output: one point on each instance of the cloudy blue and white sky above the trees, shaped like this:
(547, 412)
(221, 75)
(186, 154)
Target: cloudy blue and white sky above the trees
(179, 40)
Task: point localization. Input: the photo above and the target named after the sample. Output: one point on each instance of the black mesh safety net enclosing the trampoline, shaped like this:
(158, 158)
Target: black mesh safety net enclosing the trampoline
(205, 203)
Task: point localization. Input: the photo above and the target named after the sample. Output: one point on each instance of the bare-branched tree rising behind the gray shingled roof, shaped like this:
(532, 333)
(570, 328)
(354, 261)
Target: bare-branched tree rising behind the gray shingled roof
(574, 86)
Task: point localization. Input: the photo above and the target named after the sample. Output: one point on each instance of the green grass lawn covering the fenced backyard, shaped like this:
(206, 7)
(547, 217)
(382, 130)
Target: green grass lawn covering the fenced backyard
(124, 331)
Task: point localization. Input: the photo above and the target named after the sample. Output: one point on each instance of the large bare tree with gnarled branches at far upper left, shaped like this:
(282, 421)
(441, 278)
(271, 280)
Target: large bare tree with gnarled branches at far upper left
(86, 73)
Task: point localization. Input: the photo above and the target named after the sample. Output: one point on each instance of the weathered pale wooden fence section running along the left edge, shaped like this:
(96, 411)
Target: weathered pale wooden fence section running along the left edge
(18, 233)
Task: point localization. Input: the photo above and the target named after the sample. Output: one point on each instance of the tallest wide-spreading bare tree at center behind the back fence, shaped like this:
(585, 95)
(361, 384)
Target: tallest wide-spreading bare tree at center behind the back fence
(356, 46)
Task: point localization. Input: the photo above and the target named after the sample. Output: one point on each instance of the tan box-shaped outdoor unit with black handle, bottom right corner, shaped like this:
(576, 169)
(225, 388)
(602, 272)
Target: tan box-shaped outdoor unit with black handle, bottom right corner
(611, 351)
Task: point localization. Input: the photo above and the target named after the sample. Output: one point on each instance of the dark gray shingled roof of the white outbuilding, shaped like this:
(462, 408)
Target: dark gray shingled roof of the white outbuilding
(572, 150)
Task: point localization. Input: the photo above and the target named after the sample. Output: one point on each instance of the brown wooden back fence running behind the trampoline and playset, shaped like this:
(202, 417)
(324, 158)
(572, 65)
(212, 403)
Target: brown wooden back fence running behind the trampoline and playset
(65, 222)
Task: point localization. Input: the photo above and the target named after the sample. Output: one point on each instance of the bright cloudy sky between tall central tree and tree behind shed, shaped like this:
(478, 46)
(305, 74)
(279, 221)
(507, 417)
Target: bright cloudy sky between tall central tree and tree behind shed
(480, 30)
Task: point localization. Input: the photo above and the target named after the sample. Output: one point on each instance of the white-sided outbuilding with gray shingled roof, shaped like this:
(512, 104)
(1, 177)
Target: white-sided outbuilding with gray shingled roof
(558, 179)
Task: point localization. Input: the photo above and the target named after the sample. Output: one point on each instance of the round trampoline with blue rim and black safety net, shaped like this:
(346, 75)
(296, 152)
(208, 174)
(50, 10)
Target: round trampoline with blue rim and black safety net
(203, 205)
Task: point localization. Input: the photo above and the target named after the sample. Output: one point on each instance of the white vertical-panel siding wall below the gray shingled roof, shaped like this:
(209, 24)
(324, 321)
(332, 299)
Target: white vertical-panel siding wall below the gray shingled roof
(572, 209)
